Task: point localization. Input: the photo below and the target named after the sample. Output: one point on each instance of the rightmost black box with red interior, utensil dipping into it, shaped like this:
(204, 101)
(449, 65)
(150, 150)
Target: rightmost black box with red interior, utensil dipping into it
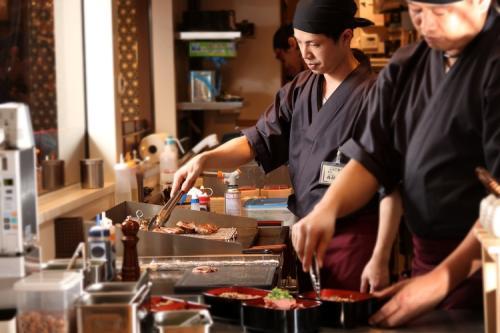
(349, 310)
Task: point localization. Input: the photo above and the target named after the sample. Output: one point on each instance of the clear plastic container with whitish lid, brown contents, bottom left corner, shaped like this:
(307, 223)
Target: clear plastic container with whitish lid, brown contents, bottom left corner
(45, 301)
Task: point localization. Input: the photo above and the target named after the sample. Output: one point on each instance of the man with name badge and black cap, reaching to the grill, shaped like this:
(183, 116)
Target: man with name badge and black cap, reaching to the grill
(309, 119)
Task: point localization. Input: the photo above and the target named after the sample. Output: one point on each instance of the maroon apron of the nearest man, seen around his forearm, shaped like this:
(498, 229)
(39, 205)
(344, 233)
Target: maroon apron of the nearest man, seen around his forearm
(427, 254)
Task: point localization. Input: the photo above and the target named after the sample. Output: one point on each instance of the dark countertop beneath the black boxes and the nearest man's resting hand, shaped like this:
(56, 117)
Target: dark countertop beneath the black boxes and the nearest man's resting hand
(434, 322)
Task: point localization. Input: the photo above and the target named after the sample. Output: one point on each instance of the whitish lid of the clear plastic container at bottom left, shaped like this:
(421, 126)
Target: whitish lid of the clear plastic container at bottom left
(49, 281)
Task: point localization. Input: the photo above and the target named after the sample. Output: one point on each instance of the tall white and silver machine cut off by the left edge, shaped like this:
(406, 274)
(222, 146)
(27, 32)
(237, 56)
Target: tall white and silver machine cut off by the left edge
(19, 253)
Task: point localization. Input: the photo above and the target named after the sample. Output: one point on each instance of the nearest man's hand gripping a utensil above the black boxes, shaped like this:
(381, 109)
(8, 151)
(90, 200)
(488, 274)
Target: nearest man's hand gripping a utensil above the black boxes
(311, 235)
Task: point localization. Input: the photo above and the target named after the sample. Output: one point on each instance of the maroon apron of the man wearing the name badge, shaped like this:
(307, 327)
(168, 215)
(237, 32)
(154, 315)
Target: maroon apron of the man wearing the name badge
(349, 251)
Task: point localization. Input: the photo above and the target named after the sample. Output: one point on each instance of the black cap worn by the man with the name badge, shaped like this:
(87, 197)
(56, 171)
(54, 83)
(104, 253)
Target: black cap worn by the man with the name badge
(323, 16)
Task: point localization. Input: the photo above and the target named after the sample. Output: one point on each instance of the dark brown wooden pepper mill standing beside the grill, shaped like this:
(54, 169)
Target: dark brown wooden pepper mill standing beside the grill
(130, 268)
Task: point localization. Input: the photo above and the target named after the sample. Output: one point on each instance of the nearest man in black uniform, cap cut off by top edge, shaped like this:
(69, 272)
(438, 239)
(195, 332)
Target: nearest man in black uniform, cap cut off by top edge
(433, 116)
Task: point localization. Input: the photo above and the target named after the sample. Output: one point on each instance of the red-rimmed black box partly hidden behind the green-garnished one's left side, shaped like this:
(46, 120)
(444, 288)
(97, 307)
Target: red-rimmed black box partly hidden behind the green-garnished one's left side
(229, 308)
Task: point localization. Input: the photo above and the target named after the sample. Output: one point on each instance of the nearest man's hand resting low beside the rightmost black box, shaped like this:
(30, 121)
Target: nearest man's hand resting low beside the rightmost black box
(410, 298)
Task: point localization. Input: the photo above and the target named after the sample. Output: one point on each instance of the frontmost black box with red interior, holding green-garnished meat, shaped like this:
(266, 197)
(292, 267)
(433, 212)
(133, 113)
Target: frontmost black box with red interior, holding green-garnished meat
(255, 316)
